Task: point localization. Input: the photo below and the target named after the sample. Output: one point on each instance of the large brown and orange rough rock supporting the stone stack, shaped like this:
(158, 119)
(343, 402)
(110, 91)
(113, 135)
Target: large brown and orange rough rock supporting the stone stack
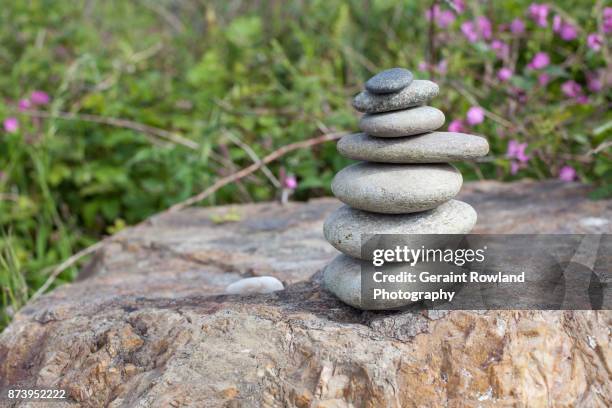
(148, 326)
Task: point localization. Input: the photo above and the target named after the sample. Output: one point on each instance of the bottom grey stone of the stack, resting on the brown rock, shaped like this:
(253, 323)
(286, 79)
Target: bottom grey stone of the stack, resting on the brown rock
(343, 277)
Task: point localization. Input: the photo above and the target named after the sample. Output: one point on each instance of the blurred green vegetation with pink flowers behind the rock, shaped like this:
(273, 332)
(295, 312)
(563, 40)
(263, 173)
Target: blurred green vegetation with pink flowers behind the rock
(116, 110)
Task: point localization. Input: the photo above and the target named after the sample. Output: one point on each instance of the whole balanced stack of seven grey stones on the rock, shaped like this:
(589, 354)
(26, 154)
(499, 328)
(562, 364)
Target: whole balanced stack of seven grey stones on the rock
(403, 183)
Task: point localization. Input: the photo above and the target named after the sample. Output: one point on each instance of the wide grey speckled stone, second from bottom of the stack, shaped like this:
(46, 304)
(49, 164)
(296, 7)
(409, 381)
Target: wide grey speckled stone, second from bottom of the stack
(347, 229)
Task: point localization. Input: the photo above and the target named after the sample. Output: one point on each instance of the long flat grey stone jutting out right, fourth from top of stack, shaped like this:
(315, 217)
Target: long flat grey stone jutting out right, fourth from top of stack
(435, 147)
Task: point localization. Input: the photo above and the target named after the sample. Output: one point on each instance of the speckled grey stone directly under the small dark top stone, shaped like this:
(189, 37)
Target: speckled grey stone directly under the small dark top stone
(417, 93)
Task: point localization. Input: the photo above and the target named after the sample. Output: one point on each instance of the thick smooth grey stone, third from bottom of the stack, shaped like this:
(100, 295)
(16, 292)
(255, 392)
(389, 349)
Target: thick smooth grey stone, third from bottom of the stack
(396, 188)
